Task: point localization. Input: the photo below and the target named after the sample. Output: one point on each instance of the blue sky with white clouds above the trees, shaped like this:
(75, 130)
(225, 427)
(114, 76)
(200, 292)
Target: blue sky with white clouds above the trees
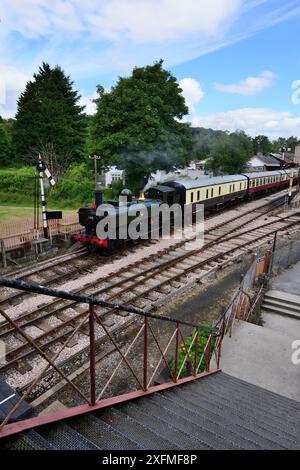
(237, 61)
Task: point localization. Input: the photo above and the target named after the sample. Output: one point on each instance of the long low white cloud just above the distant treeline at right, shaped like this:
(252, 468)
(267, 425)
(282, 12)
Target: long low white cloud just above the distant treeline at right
(253, 121)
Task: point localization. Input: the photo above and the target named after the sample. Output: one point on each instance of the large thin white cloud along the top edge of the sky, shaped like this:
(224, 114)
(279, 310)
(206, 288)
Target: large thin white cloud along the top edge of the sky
(140, 20)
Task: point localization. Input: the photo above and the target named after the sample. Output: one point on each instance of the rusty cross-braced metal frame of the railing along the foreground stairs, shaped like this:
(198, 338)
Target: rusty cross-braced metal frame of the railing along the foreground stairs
(91, 317)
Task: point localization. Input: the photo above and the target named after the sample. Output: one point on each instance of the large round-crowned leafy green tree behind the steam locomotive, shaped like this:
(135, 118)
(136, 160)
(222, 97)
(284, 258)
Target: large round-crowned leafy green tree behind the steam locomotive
(137, 125)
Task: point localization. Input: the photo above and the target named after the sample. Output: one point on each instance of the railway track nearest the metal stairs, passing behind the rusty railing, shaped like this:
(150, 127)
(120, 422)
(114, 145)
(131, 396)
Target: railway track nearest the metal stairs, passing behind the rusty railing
(140, 284)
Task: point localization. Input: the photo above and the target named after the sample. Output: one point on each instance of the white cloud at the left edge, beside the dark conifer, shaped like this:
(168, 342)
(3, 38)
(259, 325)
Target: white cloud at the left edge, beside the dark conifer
(13, 82)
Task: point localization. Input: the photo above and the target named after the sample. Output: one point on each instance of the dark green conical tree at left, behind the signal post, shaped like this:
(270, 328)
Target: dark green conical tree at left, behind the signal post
(49, 115)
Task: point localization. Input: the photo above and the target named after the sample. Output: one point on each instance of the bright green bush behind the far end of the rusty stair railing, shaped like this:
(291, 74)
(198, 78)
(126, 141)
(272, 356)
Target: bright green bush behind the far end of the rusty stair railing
(203, 336)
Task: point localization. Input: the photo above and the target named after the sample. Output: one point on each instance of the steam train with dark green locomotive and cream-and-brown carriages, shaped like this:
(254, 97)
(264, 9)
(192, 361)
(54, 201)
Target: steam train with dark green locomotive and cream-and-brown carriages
(214, 193)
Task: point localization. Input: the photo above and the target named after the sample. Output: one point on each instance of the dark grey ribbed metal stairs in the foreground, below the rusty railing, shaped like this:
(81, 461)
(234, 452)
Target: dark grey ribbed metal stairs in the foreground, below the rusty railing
(215, 412)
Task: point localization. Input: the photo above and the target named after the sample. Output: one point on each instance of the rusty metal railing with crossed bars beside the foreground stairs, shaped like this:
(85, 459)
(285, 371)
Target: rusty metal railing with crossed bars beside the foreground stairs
(144, 373)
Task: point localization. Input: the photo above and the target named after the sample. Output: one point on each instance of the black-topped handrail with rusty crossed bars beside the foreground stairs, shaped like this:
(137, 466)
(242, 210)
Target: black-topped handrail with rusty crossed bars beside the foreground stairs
(144, 379)
